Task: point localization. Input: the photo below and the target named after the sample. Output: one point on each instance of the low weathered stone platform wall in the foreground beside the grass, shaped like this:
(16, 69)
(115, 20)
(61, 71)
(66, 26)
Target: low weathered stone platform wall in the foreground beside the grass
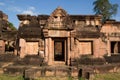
(86, 72)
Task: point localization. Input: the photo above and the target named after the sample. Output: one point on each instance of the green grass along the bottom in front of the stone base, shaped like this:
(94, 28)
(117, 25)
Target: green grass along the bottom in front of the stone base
(110, 76)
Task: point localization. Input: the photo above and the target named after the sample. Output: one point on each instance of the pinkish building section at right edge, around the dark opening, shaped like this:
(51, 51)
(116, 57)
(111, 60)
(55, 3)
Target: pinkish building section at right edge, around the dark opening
(111, 32)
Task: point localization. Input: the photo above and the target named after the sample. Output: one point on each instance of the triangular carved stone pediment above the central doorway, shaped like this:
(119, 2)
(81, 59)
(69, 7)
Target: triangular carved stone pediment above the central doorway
(59, 19)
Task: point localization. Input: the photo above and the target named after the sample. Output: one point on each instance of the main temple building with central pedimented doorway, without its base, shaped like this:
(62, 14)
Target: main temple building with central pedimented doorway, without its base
(61, 37)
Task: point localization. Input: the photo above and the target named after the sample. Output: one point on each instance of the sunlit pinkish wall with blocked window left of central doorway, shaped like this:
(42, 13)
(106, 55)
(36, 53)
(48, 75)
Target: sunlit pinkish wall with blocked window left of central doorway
(31, 48)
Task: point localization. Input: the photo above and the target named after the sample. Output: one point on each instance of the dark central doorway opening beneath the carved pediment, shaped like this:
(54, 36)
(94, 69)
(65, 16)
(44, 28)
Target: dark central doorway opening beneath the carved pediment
(59, 50)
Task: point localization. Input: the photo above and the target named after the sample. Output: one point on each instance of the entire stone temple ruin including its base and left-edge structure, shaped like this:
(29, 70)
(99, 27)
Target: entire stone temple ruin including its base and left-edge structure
(60, 38)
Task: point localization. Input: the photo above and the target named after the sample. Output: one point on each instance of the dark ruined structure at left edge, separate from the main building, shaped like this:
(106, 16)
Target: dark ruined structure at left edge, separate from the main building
(7, 36)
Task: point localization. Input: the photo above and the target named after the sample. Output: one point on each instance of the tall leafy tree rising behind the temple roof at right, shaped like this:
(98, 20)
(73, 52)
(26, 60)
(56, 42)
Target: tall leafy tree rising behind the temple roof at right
(105, 8)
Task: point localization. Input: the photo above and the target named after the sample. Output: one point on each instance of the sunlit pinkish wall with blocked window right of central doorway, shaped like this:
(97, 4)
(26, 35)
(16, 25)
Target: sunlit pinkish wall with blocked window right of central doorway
(95, 47)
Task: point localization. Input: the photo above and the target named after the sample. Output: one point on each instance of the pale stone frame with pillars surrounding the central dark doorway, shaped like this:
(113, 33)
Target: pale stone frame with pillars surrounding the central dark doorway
(49, 50)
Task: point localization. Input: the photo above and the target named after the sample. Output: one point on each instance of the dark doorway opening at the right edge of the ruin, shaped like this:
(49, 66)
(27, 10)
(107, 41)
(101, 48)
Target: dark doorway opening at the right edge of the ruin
(115, 47)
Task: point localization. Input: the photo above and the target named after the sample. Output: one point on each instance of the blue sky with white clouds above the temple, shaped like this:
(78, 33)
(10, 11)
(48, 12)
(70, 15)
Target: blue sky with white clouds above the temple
(36, 7)
